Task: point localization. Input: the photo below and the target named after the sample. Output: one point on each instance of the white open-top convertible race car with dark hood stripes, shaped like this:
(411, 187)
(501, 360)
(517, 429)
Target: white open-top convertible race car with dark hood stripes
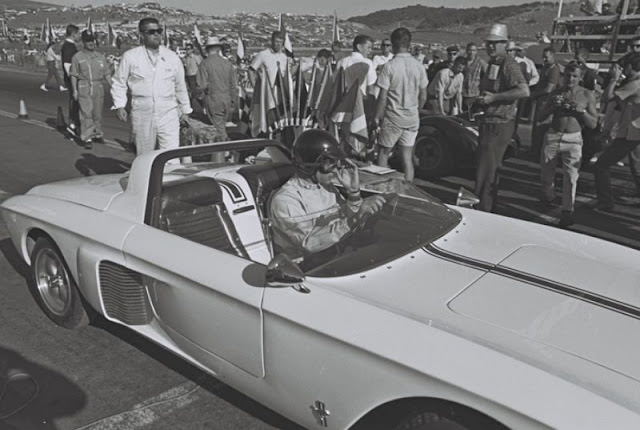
(428, 317)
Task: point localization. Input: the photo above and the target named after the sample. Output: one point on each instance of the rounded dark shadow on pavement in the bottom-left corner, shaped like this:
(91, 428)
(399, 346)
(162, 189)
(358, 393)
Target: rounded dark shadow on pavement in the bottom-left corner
(32, 396)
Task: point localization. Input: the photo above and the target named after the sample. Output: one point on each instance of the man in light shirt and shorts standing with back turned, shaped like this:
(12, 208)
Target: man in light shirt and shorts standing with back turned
(403, 90)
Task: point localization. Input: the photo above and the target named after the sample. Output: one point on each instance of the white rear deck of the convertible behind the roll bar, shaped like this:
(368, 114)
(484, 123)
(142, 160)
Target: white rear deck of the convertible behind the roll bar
(95, 192)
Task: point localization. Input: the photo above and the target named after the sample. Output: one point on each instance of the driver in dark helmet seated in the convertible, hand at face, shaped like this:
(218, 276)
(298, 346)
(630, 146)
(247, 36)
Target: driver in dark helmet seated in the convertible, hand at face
(308, 213)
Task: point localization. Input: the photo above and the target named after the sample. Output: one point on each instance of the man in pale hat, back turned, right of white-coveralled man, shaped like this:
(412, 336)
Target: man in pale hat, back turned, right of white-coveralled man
(217, 78)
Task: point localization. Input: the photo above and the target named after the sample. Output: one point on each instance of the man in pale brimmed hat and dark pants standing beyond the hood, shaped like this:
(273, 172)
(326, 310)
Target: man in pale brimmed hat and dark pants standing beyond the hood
(500, 89)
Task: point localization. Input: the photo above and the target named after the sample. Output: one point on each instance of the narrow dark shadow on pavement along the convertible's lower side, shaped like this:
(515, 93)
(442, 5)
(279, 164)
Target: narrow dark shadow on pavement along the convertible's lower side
(204, 380)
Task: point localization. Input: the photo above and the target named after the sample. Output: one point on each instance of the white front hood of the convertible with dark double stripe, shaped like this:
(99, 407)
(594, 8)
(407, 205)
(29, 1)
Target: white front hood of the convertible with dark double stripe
(563, 301)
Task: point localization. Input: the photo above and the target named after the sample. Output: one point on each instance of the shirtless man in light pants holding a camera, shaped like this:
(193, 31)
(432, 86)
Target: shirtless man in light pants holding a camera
(573, 108)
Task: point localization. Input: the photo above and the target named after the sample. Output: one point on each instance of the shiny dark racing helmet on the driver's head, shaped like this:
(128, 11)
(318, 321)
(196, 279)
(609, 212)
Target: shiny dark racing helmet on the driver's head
(316, 149)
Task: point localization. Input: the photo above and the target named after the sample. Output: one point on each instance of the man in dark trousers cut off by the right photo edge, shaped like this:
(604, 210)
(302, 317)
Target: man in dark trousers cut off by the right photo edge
(628, 132)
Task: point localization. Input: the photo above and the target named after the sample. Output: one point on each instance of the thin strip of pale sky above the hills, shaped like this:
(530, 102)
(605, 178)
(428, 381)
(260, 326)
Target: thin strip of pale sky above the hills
(345, 8)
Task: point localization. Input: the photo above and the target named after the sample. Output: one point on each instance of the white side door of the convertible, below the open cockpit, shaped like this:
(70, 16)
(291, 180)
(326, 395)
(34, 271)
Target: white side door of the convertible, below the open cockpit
(207, 301)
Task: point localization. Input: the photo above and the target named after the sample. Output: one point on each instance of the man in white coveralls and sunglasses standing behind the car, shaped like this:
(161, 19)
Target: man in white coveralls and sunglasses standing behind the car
(154, 75)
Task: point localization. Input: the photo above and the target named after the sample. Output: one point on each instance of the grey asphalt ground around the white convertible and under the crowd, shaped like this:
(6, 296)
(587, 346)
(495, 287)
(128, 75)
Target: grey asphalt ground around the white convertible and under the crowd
(106, 377)
